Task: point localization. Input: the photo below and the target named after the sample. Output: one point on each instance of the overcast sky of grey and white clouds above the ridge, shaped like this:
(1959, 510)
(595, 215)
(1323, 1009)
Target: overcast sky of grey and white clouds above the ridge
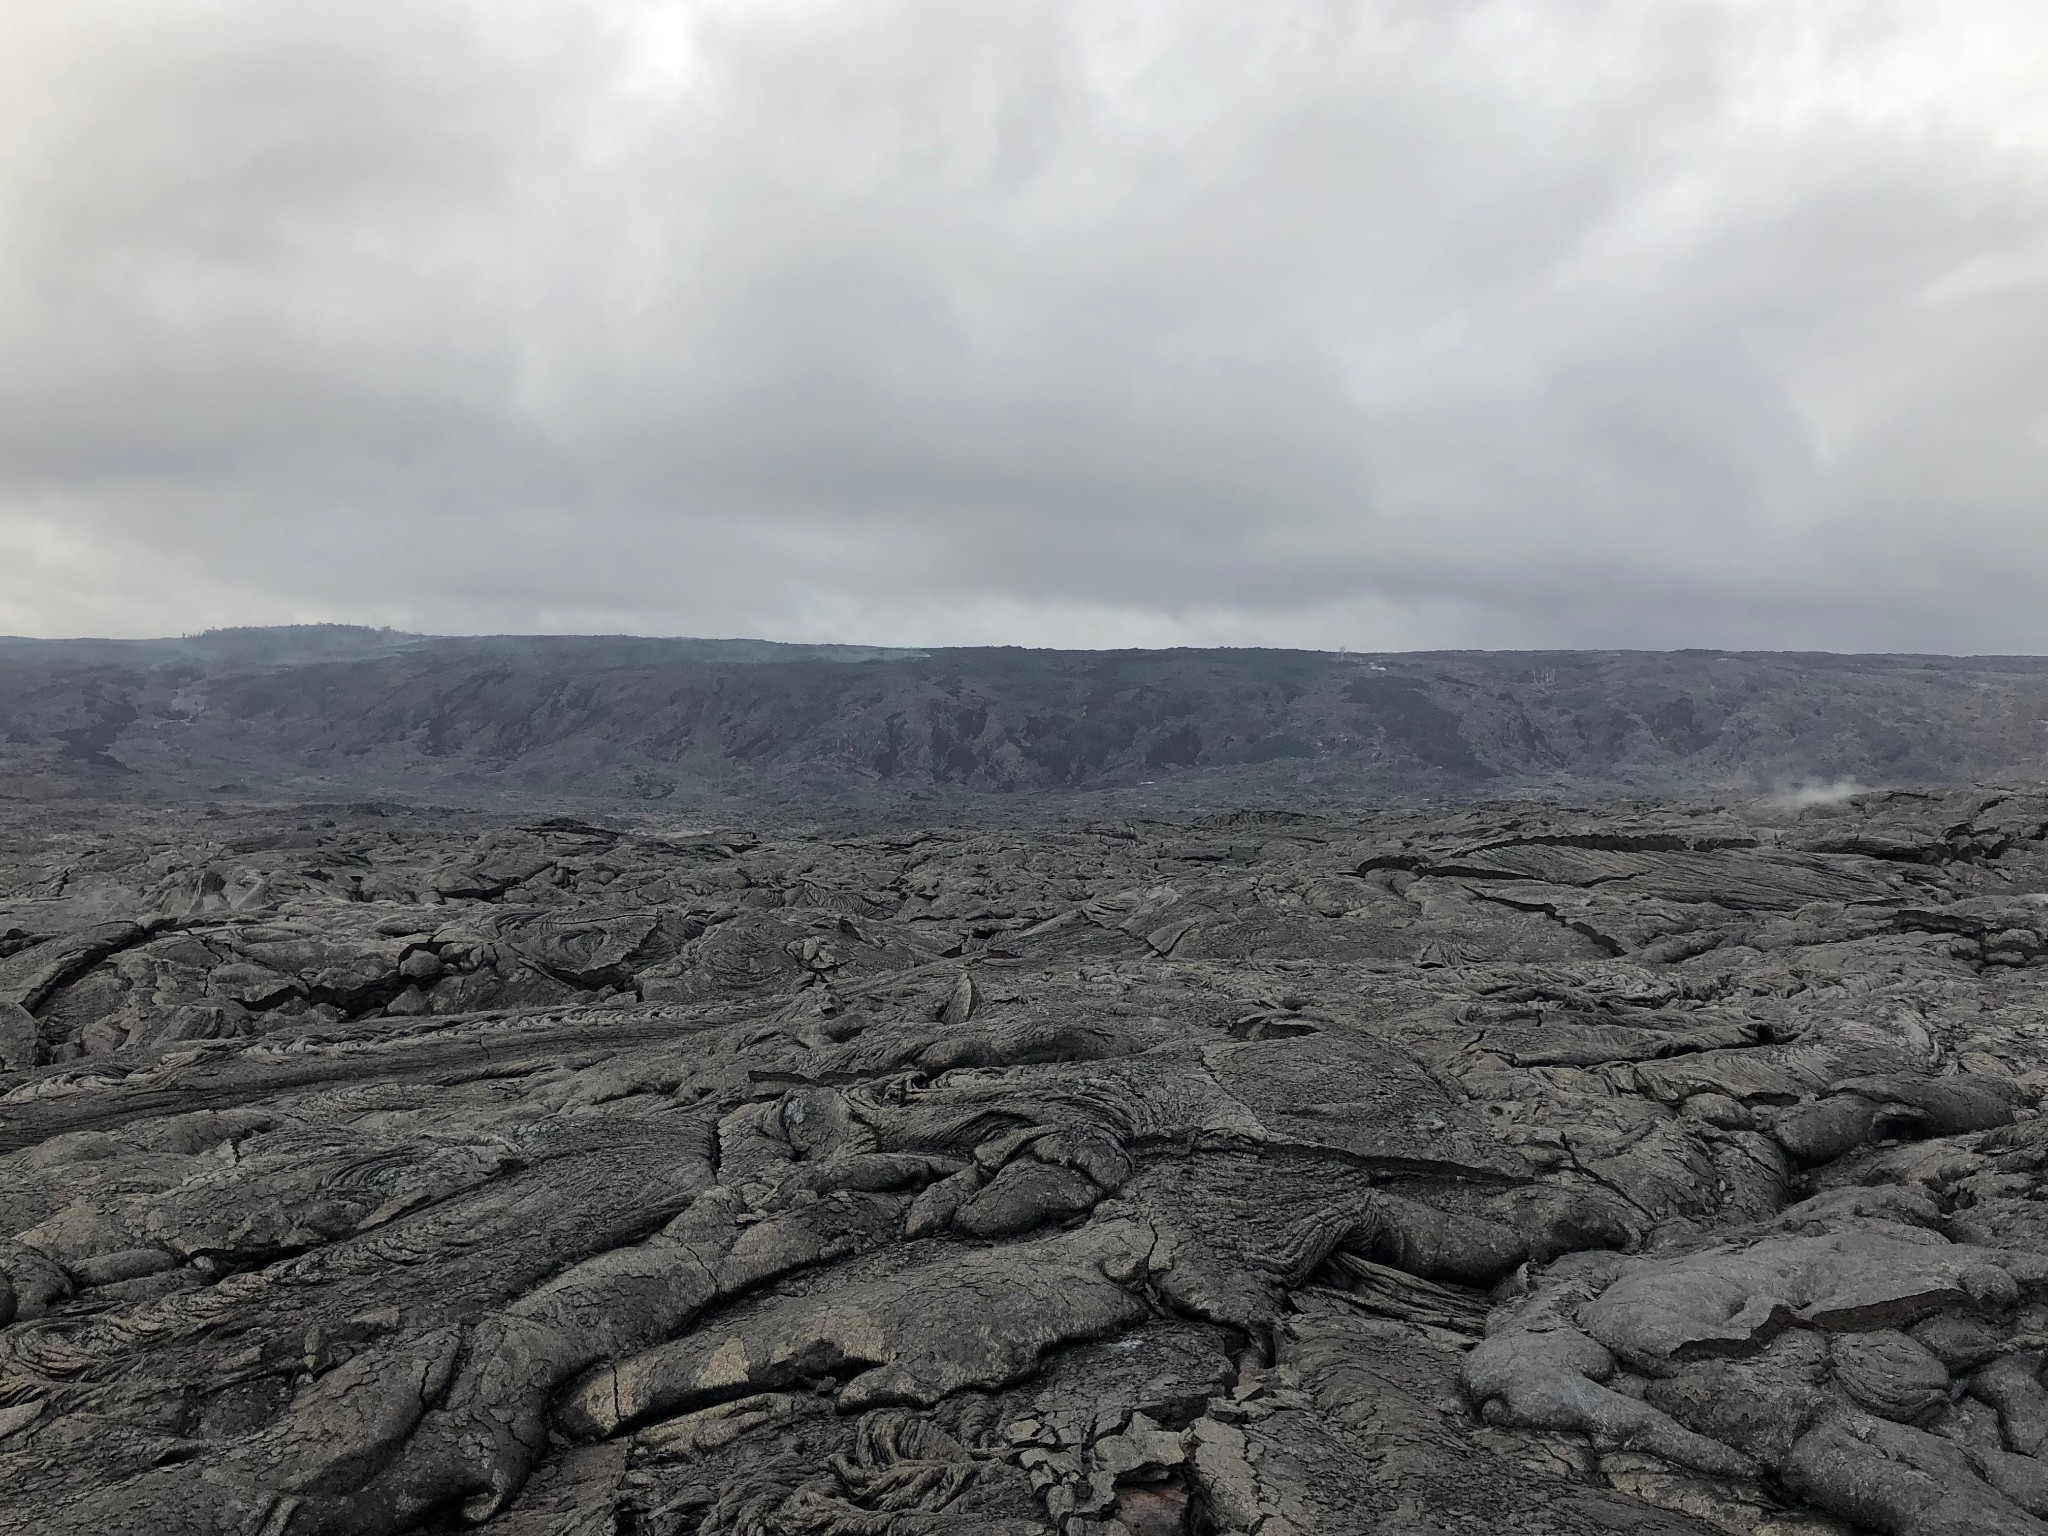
(1101, 323)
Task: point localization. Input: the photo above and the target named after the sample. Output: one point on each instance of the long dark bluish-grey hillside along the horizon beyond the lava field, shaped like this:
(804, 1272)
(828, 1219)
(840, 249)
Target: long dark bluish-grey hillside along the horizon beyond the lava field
(335, 712)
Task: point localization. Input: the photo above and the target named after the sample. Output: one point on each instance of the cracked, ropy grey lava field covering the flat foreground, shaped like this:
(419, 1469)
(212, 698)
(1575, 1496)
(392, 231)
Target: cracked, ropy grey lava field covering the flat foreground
(1508, 1168)
